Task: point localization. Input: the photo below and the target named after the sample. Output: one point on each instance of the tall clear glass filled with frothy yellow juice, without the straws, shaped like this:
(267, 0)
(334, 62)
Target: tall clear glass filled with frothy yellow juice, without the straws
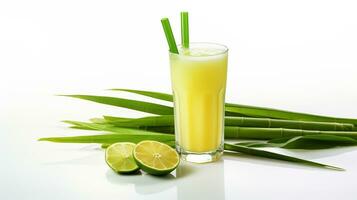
(198, 76)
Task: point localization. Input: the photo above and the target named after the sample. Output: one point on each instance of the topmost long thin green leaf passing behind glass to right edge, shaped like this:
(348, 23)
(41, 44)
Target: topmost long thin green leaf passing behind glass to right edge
(255, 111)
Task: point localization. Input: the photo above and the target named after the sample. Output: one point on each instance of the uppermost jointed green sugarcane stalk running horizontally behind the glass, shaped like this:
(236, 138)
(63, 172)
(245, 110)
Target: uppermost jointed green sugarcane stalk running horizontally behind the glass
(168, 120)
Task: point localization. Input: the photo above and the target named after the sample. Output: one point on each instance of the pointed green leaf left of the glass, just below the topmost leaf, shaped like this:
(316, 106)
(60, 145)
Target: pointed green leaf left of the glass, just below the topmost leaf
(128, 103)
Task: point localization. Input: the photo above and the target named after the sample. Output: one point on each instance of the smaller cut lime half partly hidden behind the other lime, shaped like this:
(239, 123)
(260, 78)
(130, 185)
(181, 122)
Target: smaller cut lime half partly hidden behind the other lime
(119, 157)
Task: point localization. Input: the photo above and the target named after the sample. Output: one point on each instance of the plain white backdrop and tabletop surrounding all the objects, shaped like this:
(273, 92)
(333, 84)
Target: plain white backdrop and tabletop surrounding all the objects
(297, 55)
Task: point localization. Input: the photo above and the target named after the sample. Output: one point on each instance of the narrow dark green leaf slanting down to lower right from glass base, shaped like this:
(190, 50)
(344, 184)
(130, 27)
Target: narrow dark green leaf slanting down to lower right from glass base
(276, 156)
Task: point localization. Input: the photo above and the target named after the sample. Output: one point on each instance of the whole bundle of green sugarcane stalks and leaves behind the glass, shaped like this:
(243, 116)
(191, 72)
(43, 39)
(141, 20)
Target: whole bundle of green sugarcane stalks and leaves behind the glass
(284, 129)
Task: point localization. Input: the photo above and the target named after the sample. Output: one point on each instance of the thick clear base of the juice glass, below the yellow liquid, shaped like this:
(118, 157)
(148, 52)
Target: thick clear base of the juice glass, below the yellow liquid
(199, 157)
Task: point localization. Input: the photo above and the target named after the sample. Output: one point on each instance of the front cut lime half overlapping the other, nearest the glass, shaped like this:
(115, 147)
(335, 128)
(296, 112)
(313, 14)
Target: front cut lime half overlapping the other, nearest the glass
(156, 158)
